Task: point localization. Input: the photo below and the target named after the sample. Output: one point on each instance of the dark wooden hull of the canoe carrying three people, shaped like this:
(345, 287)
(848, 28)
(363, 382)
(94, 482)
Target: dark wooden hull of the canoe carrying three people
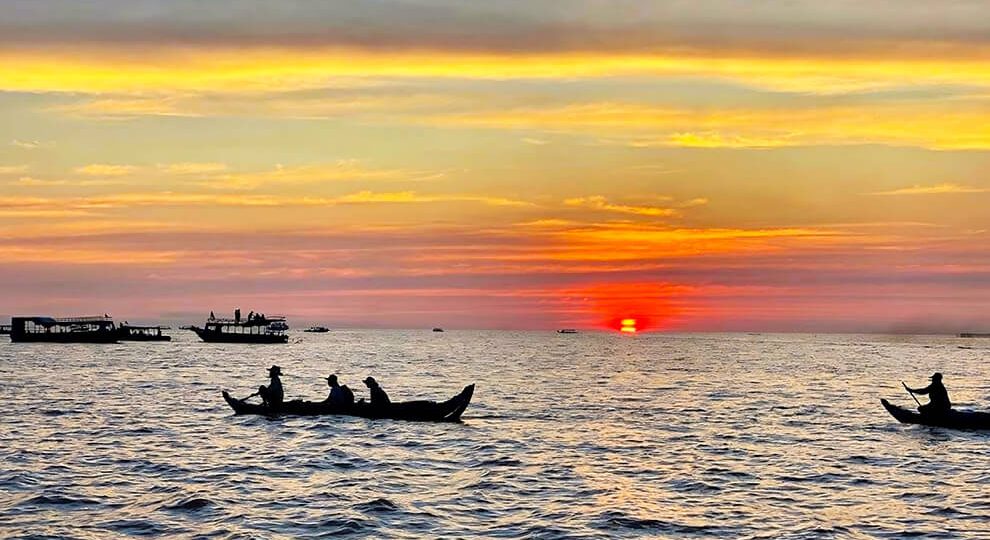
(420, 411)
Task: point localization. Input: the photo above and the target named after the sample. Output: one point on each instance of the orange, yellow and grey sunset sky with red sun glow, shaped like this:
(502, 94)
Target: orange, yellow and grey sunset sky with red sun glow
(702, 165)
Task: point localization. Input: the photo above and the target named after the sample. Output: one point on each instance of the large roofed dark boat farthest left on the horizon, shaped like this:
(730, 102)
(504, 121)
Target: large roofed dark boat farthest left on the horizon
(63, 330)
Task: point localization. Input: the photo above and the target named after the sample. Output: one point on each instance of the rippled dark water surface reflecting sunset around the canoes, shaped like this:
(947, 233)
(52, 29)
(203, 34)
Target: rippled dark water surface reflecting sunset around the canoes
(569, 436)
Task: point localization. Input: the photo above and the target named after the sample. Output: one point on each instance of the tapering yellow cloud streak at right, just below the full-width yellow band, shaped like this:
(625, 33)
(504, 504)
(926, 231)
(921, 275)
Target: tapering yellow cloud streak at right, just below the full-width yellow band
(934, 125)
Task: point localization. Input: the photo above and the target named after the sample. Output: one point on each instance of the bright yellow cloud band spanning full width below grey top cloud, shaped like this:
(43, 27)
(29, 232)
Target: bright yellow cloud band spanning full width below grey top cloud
(237, 70)
